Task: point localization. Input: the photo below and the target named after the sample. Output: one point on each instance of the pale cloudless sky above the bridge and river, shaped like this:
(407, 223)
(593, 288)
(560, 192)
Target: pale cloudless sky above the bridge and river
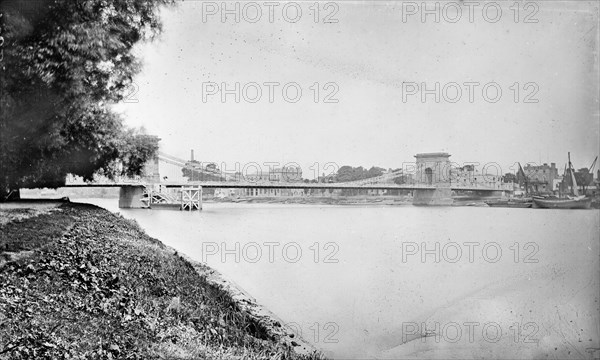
(371, 60)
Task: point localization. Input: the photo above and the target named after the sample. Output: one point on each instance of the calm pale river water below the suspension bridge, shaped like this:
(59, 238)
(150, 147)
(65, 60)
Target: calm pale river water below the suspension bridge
(507, 283)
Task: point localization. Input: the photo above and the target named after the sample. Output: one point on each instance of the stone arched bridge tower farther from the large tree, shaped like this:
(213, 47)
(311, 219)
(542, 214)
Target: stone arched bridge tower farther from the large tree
(433, 173)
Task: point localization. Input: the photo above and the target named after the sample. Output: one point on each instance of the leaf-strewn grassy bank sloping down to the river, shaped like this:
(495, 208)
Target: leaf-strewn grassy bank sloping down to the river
(81, 282)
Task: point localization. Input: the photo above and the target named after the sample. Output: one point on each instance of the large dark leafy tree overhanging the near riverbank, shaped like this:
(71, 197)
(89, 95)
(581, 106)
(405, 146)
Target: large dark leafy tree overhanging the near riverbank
(64, 64)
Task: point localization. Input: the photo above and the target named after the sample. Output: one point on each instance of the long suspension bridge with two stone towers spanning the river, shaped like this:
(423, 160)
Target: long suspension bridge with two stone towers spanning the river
(431, 183)
